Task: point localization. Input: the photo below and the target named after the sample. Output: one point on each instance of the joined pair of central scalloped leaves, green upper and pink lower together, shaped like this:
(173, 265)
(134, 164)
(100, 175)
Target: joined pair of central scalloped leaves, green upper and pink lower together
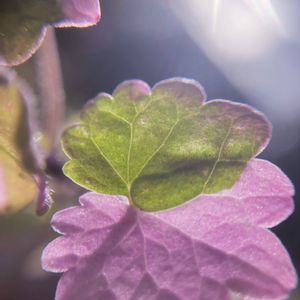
(195, 207)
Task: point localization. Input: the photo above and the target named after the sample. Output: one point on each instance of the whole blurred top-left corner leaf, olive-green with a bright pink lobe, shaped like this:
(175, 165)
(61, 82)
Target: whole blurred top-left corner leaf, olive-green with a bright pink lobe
(22, 23)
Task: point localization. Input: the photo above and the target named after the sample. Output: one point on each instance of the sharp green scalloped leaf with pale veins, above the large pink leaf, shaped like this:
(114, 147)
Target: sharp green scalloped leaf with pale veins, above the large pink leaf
(162, 148)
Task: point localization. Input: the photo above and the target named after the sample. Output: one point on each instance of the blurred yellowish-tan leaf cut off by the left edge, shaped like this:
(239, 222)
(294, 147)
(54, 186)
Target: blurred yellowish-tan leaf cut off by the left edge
(18, 186)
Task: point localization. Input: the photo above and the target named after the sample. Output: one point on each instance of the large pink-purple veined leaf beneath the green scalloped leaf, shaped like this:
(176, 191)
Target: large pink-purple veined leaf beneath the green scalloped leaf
(205, 249)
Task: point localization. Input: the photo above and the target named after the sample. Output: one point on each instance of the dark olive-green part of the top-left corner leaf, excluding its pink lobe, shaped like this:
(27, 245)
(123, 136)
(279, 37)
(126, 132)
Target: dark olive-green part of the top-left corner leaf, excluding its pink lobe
(22, 27)
